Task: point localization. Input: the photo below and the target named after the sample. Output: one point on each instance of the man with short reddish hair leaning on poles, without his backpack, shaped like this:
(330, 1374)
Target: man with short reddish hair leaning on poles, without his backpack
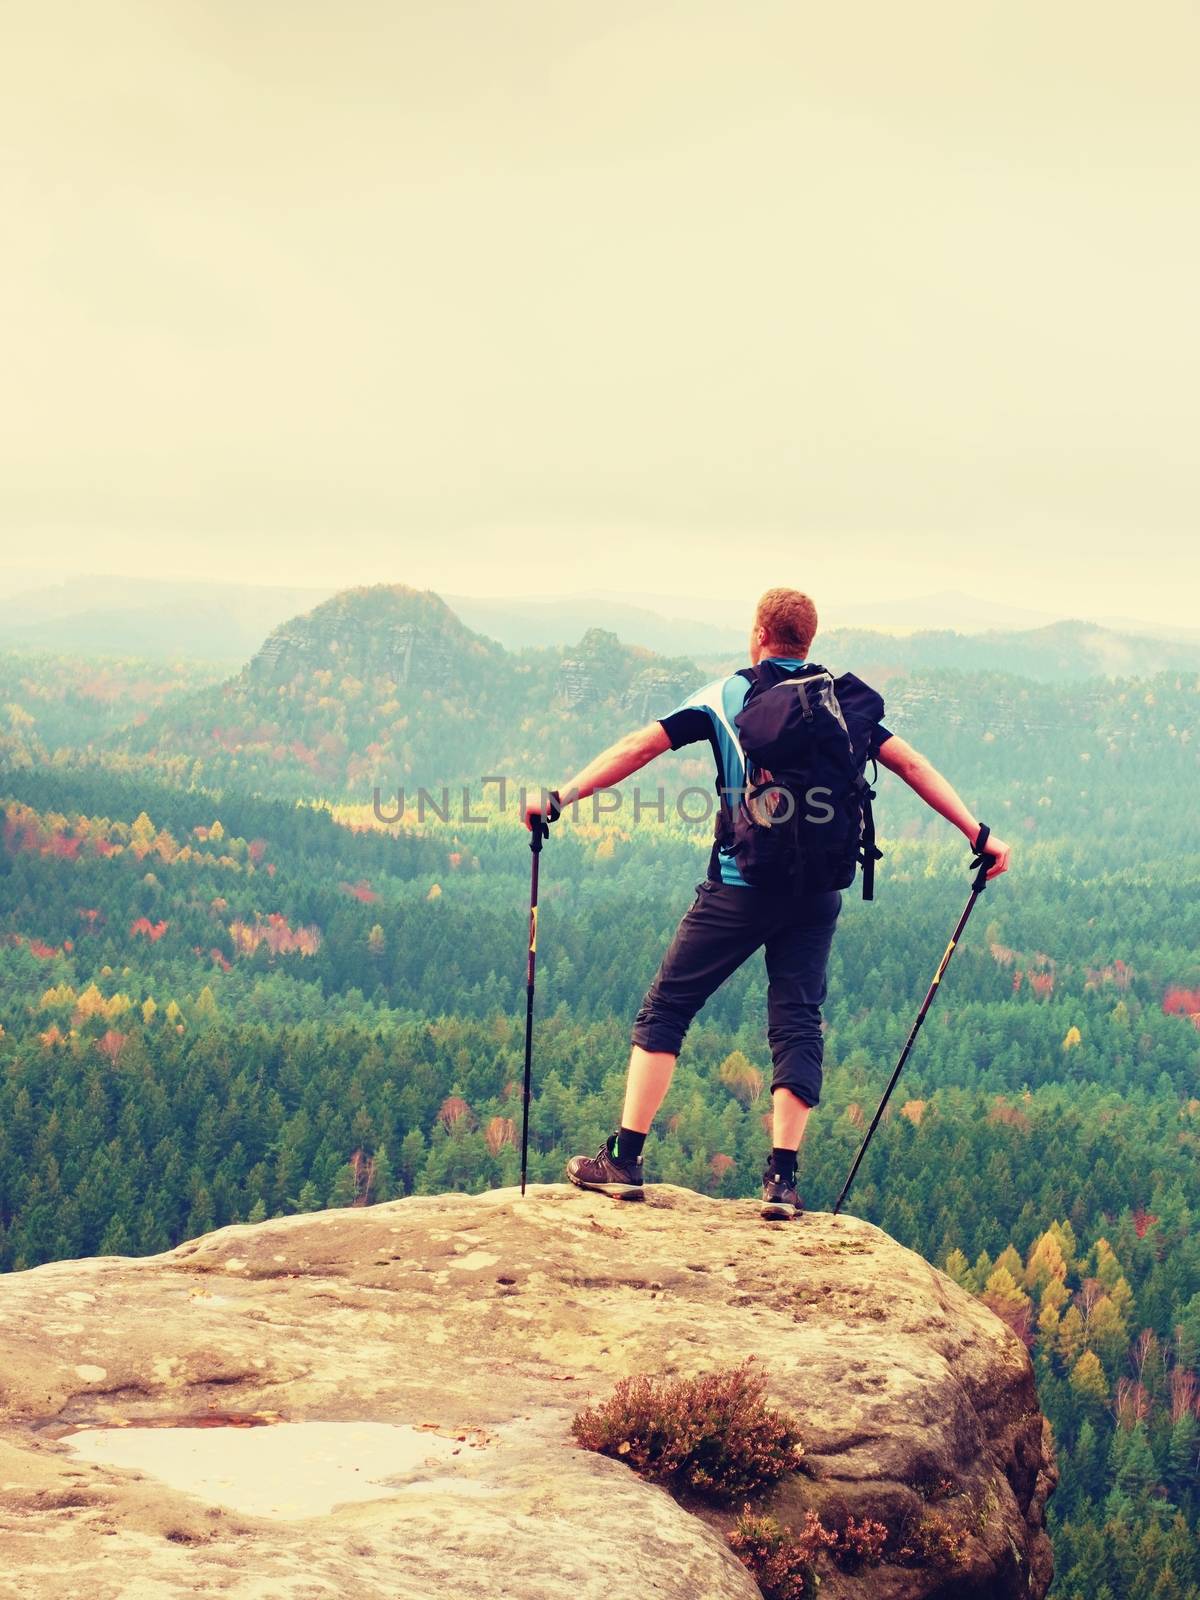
(730, 921)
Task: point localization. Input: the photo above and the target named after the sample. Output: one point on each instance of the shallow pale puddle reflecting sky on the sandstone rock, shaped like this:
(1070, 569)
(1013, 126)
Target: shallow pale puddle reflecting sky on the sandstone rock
(262, 1466)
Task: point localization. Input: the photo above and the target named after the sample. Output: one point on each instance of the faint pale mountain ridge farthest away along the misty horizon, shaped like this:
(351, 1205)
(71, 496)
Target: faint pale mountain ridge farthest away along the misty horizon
(228, 622)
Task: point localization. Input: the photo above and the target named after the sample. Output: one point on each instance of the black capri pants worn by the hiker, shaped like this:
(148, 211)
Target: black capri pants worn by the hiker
(726, 926)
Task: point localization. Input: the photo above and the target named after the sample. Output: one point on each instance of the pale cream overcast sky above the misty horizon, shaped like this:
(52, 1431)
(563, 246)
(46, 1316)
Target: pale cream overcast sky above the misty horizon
(526, 297)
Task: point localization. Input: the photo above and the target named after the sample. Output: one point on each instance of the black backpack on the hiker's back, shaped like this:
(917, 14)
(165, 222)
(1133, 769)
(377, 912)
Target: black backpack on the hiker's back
(804, 822)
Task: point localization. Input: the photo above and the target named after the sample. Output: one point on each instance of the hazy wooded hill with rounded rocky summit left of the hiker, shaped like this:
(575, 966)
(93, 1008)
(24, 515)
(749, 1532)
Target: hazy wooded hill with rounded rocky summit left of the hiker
(386, 686)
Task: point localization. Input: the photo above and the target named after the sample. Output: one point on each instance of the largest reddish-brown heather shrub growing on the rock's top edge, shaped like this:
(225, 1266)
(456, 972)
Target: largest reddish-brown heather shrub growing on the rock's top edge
(711, 1434)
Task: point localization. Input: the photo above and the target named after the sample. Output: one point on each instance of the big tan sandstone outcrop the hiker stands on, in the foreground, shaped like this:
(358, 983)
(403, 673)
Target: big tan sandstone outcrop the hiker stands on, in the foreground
(476, 1327)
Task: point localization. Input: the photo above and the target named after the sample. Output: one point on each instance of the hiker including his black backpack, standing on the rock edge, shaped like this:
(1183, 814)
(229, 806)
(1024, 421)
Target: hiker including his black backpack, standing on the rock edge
(794, 823)
